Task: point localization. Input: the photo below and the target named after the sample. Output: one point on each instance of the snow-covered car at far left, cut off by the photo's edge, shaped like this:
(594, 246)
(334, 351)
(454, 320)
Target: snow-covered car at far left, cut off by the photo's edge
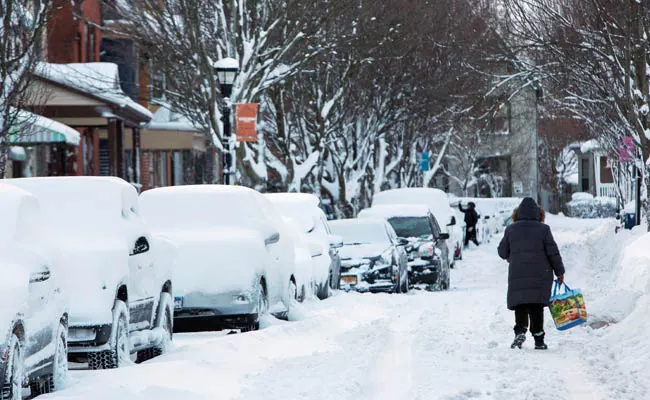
(34, 314)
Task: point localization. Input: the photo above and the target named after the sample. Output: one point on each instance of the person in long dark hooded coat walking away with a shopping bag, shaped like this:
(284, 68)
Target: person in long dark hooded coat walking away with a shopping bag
(534, 257)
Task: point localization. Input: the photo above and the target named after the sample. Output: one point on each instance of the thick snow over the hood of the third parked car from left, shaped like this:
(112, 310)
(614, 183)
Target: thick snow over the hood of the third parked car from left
(216, 260)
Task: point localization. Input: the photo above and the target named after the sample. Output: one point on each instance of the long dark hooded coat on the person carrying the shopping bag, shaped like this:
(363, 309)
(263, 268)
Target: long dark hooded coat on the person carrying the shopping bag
(529, 247)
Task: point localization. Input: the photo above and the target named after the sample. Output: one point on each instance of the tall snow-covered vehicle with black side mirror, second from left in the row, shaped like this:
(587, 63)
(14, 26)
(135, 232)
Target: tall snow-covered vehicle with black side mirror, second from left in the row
(117, 275)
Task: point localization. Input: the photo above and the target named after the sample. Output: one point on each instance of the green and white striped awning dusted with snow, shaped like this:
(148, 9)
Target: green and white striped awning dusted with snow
(34, 129)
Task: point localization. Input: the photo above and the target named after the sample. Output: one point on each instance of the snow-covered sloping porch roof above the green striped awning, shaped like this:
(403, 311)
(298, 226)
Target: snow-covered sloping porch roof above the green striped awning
(99, 79)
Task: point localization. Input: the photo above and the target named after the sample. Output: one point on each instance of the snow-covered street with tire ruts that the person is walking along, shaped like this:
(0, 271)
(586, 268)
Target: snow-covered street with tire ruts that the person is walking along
(444, 345)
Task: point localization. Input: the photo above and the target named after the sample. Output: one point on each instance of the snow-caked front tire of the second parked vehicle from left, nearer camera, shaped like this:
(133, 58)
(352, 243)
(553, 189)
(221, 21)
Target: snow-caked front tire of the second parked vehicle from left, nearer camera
(119, 353)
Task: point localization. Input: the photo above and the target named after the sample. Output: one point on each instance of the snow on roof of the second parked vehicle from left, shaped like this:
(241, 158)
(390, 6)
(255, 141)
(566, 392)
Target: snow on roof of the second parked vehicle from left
(71, 202)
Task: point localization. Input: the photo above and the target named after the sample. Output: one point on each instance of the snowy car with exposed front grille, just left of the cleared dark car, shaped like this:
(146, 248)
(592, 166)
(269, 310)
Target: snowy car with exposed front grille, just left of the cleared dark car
(373, 258)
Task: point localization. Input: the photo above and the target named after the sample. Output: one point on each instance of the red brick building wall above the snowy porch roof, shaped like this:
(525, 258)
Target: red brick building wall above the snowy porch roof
(69, 30)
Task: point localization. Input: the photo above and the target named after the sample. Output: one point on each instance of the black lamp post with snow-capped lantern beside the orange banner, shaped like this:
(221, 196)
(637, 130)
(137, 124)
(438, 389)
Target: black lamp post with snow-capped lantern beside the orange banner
(227, 70)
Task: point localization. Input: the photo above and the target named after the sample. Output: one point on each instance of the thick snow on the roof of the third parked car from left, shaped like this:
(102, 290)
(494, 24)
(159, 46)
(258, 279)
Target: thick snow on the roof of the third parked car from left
(195, 206)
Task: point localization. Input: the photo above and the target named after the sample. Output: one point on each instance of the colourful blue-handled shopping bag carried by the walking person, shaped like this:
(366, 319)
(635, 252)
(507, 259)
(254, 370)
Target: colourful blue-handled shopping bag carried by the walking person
(567, 308)
